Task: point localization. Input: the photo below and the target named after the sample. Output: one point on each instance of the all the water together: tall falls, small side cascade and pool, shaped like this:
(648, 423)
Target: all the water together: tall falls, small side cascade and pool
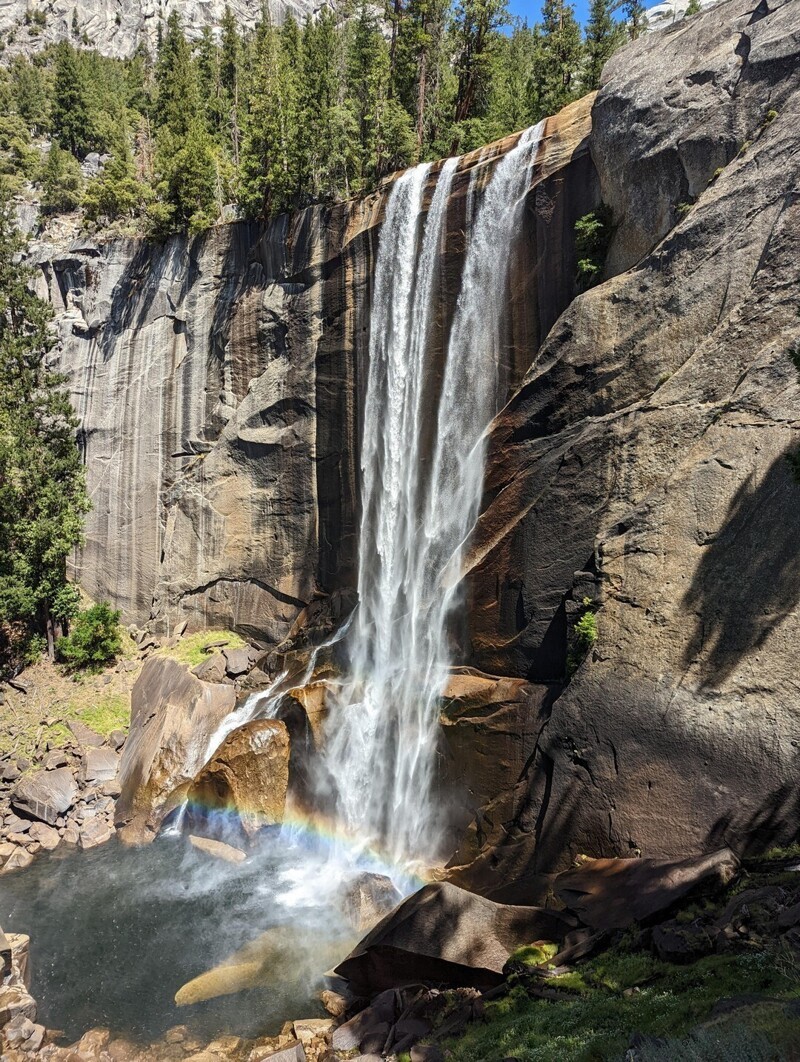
(117, 932)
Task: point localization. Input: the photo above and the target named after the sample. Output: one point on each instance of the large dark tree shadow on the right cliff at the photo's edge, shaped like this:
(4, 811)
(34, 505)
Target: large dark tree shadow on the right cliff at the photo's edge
(748, 580)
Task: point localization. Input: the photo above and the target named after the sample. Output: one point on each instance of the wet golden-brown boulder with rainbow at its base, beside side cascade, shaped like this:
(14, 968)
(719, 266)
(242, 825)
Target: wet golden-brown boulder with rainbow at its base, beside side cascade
(247, 779)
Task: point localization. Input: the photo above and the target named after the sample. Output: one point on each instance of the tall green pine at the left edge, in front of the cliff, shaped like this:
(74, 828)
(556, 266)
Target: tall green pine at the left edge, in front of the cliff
(43, 495)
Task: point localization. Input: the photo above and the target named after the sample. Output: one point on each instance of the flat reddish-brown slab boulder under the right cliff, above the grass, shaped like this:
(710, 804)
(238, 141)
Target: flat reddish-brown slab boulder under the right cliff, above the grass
(614, 894)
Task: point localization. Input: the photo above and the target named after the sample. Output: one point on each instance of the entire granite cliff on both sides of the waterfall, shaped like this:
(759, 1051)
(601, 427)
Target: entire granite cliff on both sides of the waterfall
(640, 463)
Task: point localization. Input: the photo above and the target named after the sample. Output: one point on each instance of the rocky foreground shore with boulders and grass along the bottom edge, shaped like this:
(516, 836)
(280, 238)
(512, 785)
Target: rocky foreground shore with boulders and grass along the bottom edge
(418, 989)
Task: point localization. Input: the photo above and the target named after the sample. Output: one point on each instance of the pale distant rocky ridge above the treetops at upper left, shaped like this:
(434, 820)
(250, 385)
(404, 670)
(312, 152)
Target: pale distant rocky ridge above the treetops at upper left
(117, 28)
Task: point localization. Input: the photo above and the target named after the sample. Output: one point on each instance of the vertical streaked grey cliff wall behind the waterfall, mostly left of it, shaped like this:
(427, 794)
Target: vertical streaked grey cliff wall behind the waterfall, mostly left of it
(219, 383)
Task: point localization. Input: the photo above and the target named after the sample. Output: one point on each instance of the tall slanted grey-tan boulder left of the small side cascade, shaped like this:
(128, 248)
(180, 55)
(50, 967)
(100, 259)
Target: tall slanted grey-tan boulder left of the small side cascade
(174, 717)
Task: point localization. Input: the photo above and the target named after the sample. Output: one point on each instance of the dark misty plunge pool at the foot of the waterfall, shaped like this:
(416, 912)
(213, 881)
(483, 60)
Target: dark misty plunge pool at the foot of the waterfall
(117, 932)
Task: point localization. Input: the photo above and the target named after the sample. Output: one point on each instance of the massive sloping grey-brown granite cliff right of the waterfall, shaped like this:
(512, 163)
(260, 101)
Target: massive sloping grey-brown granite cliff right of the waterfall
(648, 448)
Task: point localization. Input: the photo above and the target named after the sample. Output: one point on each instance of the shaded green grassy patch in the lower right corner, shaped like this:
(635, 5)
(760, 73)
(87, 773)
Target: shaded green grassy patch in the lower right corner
(622, 994)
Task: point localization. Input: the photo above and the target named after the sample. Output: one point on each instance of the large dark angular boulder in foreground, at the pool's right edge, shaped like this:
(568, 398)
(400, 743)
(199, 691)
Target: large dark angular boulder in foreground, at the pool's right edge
(446, 935)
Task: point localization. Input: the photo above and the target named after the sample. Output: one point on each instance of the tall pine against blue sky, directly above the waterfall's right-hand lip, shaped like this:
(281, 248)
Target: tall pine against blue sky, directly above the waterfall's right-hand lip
(561, 52)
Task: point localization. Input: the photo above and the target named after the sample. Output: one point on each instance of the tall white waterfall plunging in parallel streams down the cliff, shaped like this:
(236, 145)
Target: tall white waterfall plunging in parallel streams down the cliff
(419, 509)
